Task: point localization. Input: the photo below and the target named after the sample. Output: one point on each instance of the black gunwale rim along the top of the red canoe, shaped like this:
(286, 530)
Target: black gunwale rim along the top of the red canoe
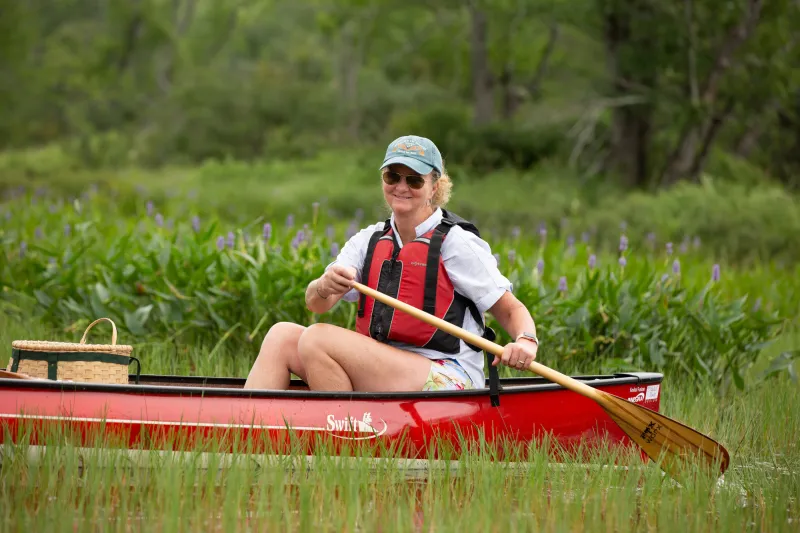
(509, 386)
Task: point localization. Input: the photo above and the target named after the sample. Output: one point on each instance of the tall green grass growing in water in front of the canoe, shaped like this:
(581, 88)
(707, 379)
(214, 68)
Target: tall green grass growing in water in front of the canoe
(63, 488)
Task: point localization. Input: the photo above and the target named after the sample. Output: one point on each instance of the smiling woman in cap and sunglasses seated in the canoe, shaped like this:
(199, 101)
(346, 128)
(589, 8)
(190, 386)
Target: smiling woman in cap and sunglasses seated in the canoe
(444, 268)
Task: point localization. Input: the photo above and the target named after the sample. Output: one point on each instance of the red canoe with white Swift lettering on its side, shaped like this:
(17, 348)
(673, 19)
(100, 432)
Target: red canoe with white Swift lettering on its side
(187, 413)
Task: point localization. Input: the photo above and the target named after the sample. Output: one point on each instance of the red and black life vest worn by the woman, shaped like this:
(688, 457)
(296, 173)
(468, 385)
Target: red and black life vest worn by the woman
(413, 274)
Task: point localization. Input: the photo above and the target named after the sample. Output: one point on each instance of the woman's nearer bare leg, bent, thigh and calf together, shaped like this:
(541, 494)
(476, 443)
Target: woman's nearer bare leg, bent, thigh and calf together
(339, 359)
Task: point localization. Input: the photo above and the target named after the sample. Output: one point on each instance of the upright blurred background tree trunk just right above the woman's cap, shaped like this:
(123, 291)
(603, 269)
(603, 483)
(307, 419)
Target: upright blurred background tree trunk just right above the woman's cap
(482, 81)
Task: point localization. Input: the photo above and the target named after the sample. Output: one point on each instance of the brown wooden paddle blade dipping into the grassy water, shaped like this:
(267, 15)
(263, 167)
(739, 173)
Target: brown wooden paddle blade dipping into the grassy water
(664, 439)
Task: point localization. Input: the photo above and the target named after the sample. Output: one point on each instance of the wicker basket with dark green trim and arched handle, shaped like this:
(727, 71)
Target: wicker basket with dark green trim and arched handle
(69, 361)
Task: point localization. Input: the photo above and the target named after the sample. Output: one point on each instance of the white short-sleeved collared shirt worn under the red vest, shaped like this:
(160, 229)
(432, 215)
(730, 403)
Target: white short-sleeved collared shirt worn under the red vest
(471, 267)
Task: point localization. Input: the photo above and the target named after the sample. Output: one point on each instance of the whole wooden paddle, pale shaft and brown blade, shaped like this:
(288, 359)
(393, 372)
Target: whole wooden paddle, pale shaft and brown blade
(666, 441)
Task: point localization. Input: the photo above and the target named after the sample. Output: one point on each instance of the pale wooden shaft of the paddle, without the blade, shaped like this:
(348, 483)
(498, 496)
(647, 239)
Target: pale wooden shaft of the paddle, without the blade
(484, 344)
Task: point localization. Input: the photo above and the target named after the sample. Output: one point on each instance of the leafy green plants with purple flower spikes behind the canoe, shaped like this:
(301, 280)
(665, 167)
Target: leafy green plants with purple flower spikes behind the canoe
(165, 277)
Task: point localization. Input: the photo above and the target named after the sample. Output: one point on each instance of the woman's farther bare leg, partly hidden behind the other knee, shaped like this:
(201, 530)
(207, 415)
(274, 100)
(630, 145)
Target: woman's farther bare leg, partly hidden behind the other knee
(277, 358)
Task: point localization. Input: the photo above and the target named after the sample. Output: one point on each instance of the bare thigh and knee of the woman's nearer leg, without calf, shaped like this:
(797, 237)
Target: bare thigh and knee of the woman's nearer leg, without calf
(372, 366)
